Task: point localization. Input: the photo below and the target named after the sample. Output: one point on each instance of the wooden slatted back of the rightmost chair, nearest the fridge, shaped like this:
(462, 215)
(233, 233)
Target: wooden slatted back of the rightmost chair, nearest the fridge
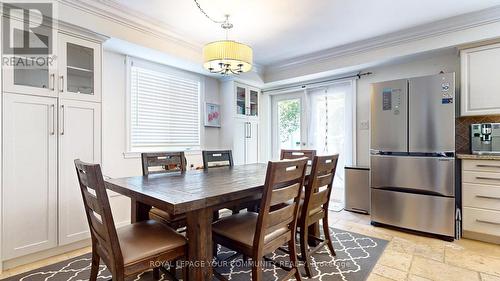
(319, 187)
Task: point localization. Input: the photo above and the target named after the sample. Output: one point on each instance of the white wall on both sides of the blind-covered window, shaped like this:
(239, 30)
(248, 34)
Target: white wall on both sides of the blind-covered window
(114, 126)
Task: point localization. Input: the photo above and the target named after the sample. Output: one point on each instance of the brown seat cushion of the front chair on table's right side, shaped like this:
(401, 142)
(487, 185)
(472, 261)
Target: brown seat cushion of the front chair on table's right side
(241, 228)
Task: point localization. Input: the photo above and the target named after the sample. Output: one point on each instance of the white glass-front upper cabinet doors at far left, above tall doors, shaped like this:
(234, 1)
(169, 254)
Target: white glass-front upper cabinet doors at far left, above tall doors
(74, 73)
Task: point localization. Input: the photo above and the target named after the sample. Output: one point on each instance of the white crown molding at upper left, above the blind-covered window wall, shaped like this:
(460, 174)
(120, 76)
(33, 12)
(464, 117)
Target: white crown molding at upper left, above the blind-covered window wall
(117, 13)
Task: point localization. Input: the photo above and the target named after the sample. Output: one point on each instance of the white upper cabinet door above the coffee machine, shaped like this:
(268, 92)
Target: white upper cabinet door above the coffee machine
(480, 89)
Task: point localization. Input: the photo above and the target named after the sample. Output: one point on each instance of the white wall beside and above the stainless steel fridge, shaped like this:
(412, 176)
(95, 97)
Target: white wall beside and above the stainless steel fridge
(417, 66)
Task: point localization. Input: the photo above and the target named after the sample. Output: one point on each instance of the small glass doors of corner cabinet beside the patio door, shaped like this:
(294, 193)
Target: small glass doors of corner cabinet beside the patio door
(247, 101)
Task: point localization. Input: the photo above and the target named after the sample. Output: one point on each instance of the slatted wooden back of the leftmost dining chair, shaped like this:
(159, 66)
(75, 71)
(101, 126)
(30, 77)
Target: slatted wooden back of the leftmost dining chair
(98, 212)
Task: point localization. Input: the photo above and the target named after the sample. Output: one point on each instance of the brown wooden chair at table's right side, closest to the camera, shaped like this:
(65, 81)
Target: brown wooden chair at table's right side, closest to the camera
(256, 235)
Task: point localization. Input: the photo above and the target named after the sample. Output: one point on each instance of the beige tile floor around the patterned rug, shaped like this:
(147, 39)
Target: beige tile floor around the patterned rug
(407, 256)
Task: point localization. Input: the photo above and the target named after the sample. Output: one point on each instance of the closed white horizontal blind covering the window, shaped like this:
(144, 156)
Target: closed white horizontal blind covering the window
(164, 110)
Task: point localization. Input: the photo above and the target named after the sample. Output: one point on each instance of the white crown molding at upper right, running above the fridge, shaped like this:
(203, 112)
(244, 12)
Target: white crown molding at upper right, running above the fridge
(437, 28)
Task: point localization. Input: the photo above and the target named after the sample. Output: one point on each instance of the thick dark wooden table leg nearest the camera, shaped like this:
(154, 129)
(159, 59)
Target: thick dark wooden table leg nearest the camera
(199, 234)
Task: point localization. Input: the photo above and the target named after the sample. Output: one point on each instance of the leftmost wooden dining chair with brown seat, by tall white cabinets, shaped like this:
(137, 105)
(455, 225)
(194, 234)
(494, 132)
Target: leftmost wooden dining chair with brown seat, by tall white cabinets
(128, 250)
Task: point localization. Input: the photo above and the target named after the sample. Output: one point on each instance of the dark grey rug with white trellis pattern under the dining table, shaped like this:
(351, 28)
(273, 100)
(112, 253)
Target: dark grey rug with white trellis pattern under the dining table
(356, 256)
